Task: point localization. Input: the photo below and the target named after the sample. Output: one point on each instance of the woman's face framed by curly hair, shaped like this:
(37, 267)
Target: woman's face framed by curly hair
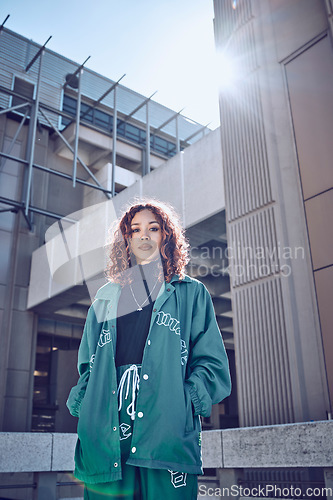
(146, 238)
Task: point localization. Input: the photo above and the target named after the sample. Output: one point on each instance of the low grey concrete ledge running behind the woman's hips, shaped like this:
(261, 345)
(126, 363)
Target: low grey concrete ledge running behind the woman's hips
(290, 445)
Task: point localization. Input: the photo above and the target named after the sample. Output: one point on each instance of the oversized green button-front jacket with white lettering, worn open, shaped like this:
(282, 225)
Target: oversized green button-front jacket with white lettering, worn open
(187, 367)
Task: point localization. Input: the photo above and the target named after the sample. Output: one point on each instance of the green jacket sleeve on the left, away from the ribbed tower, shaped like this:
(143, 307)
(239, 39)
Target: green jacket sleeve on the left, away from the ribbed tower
(86, 351)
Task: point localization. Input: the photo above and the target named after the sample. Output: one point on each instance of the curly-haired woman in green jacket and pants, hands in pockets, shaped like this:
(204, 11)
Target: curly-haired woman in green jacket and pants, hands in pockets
(151, 360)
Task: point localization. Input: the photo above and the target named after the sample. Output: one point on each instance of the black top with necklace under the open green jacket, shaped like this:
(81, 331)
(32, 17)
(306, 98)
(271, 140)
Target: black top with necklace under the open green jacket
(133, 325)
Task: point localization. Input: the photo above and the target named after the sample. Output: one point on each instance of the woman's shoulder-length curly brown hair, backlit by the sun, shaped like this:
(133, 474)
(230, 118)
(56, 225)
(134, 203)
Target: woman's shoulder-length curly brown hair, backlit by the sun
(174, 249)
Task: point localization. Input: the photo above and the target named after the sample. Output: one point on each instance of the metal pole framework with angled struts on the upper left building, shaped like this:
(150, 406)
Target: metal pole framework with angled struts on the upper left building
(34, 108)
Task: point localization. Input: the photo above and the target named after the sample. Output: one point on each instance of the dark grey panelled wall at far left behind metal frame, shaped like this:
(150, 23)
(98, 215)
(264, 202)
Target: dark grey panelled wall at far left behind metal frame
(17, 243)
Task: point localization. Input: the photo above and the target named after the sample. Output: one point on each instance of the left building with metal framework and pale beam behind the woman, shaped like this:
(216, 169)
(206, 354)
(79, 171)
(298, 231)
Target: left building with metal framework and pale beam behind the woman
(74, 151)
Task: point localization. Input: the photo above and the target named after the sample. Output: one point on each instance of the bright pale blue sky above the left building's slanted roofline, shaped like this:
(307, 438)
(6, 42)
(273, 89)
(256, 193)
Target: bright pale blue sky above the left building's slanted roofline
(163, 45)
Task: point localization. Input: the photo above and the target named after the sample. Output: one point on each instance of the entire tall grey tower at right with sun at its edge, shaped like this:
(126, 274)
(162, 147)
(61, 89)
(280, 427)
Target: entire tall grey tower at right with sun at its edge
(276, 102)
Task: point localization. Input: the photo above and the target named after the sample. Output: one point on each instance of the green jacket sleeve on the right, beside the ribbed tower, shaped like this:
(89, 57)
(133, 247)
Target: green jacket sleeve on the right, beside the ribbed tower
(209, 377)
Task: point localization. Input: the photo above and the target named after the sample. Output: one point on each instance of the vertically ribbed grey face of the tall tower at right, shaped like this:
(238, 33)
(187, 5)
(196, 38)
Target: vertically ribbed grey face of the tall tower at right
(279, 352)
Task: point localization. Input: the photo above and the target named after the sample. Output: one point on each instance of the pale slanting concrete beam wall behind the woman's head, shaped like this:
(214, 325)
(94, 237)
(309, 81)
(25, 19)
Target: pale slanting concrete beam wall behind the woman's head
(184, 181)
